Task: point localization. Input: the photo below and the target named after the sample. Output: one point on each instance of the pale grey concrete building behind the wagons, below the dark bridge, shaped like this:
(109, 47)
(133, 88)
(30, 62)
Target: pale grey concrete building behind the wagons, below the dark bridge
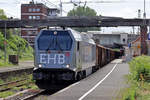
(110, 40)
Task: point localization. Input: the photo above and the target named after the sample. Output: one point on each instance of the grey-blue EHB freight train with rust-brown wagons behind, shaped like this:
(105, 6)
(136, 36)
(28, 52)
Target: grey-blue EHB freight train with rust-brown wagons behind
(67, 55)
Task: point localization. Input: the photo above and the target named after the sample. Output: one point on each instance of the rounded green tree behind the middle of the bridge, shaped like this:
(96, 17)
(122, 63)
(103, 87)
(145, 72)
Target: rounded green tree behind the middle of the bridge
(83, 11)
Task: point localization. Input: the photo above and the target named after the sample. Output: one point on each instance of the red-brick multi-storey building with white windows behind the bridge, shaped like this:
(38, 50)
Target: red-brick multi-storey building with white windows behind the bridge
(35, 11)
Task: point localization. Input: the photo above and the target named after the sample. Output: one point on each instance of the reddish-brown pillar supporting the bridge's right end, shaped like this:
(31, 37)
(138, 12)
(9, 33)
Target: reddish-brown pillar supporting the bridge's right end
(143, 31)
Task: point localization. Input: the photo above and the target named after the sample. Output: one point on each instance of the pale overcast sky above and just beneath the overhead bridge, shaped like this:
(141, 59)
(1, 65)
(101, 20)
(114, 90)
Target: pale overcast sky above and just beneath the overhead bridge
(118, 8)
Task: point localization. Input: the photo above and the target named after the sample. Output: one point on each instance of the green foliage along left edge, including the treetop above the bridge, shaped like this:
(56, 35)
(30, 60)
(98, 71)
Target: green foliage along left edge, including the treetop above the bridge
(15, 44)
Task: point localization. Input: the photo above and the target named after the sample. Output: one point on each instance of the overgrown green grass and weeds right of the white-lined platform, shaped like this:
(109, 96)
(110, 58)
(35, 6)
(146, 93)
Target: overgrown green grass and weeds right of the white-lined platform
(138, 80)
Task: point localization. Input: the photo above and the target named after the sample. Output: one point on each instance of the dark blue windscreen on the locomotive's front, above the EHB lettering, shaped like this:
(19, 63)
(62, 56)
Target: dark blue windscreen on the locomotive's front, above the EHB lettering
(55, 40)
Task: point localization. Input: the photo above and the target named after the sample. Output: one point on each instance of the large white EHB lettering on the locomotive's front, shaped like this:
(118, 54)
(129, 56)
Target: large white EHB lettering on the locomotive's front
(52, 58)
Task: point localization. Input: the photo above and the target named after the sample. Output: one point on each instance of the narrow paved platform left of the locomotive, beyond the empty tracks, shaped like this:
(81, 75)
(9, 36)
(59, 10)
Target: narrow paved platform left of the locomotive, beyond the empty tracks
(22, 65)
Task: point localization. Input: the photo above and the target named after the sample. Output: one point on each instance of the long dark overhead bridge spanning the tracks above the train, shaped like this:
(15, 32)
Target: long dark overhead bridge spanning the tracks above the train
(75, 22)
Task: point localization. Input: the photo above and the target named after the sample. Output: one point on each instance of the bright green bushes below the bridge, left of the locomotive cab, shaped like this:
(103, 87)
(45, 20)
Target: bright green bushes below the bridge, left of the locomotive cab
(15, 46)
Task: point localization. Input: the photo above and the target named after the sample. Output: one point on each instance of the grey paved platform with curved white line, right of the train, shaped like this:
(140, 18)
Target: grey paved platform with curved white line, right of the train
(105, 84)
